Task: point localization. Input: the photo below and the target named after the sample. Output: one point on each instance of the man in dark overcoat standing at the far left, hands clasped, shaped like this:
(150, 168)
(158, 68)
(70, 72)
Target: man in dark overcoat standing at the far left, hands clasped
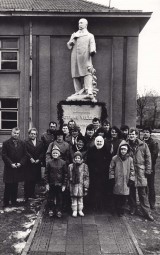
(14, 157)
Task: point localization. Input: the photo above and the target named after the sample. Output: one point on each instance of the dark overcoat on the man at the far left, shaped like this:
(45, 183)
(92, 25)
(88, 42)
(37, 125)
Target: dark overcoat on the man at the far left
(10, 155)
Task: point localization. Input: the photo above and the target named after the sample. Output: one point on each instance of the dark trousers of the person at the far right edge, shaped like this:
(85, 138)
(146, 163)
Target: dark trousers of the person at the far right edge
(151, 189)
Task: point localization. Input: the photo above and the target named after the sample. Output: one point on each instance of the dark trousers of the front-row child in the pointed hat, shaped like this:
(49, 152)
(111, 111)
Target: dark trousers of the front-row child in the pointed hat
(55, 198)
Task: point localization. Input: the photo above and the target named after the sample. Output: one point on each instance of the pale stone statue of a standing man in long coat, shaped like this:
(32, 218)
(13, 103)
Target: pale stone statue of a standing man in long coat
(82, 44)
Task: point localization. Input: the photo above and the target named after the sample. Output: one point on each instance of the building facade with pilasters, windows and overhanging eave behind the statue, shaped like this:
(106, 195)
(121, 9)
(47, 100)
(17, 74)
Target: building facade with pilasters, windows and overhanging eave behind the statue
(35, 61)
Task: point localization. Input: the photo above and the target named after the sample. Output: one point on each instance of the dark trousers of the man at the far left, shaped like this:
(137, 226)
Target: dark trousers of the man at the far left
(10, 193)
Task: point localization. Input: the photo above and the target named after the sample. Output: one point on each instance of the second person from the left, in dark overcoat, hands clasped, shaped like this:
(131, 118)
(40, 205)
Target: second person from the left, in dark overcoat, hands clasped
(35, 155)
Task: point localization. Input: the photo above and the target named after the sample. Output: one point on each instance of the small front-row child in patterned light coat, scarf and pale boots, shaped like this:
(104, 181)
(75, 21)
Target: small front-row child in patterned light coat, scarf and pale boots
(78, 177)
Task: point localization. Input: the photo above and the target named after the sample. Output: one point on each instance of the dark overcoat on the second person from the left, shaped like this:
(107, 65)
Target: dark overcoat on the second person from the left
(33, 171)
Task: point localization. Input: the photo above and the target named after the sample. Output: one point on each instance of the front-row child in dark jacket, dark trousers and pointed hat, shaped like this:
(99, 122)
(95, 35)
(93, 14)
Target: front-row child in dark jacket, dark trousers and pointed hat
(56, 180)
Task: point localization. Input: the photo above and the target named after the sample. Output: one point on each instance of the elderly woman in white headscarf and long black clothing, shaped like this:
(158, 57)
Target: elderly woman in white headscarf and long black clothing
(98, 161)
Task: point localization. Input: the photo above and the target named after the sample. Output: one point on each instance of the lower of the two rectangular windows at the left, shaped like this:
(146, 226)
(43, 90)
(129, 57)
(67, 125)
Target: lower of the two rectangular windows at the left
(8, 114)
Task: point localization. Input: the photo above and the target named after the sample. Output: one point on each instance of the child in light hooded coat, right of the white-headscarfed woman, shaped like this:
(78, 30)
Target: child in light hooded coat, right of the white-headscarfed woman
(122, 176)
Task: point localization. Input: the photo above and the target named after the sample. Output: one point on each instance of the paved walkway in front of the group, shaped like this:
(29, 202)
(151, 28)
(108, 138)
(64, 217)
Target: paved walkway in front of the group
(93, 234)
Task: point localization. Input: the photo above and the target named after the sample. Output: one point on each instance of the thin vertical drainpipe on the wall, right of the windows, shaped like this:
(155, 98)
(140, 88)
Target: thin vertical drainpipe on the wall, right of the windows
(30, 76)
